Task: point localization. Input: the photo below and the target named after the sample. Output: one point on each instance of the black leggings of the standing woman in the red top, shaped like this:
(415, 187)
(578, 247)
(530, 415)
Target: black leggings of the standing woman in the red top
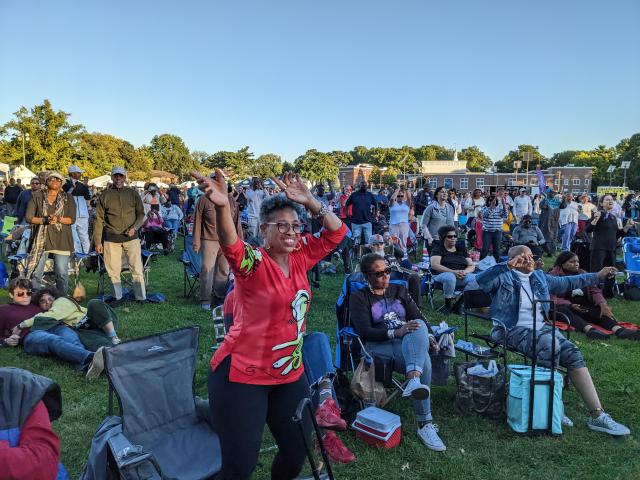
(240, 411)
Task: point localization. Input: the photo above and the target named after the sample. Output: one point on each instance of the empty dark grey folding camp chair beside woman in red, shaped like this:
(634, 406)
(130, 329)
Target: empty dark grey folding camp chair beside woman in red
(153, 378)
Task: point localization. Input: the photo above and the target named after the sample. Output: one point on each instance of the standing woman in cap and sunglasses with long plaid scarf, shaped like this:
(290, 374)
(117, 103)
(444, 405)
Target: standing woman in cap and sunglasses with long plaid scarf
(51, 212)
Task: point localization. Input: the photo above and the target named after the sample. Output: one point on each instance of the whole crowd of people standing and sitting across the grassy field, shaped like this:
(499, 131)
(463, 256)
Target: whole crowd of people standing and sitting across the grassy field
(271, 241)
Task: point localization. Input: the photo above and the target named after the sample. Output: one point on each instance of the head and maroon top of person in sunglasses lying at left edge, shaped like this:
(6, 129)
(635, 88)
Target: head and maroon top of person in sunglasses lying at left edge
(20, 308)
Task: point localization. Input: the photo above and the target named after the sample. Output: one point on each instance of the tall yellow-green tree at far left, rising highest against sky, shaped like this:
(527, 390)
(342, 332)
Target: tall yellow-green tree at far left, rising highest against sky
(52, 139)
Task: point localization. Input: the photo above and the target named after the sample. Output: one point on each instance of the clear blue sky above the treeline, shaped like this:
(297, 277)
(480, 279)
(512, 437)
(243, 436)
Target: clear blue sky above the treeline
(283, 76)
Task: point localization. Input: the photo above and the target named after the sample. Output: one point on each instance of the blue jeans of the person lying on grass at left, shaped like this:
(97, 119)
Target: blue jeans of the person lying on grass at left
(60, 341)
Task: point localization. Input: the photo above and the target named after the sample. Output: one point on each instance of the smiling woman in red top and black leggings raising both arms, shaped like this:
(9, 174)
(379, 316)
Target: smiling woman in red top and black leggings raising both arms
(256, 375)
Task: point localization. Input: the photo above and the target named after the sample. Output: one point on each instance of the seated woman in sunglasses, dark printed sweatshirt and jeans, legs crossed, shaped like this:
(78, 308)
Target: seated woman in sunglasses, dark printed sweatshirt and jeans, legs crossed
(391, 325)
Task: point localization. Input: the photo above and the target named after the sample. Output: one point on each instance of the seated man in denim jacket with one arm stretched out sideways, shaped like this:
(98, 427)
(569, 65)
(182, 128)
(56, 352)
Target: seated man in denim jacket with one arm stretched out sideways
(514, 286)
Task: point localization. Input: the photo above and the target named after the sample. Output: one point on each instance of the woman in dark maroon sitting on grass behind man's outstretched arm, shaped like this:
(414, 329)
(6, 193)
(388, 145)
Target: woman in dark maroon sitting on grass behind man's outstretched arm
(586, 307)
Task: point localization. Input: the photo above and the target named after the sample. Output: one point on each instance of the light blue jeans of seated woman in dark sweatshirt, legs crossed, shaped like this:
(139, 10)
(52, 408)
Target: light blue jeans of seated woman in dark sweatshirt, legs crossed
(409, 353)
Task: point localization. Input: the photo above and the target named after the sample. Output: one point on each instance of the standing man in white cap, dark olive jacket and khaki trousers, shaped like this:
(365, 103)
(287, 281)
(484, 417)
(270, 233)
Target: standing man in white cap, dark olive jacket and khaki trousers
(119, 215)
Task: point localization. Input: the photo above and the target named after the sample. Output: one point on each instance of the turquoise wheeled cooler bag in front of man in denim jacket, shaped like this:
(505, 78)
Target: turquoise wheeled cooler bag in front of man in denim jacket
(518, 400)
